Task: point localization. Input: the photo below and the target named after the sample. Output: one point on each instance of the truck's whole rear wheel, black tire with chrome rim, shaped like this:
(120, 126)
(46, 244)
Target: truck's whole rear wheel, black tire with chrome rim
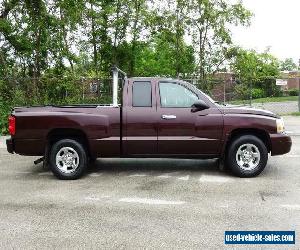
(68, 159)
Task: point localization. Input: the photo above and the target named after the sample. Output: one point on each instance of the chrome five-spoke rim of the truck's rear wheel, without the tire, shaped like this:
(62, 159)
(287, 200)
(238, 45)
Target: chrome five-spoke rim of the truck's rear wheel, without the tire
(67, 160)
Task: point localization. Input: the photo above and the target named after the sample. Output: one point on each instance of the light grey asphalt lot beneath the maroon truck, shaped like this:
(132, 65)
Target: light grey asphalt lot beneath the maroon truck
(153, 204)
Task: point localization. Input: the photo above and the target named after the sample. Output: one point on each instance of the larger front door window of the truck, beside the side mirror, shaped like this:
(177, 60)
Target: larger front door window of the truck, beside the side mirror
(173, 95)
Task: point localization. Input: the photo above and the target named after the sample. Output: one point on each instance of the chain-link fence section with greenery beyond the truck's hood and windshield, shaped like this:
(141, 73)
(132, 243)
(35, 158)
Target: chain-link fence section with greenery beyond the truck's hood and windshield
(227, 89)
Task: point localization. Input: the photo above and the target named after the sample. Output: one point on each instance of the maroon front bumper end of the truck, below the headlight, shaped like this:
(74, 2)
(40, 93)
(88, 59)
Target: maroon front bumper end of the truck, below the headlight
(280, 143)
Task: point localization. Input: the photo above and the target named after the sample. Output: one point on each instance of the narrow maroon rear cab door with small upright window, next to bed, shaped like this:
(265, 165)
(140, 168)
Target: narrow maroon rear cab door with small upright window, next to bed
(140, 119)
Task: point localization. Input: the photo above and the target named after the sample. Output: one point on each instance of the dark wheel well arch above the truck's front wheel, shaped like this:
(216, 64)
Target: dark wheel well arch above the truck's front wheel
(261, 134)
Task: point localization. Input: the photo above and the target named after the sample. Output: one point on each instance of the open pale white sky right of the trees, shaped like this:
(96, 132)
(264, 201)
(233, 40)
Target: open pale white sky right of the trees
(276, 23)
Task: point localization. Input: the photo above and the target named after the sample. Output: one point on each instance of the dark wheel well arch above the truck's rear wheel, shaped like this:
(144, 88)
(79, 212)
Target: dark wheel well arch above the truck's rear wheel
(67, 133)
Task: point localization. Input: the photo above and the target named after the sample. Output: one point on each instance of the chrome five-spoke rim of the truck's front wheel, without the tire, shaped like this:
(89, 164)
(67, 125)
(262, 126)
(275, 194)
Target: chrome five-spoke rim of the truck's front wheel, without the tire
(248, 156)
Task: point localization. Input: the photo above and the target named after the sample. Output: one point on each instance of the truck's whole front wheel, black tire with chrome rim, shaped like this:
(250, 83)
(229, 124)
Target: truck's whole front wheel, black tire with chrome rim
(247, 156)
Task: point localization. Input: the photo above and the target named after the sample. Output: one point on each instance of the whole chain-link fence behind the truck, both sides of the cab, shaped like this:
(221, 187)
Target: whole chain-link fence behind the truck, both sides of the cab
(224, 88)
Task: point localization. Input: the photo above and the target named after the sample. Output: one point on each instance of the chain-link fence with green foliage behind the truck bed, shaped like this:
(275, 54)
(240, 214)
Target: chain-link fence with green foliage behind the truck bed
(65, 90)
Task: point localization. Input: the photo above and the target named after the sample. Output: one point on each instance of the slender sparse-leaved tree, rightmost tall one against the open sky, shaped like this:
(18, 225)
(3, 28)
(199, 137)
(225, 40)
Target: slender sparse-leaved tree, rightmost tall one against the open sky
(208, 23)
